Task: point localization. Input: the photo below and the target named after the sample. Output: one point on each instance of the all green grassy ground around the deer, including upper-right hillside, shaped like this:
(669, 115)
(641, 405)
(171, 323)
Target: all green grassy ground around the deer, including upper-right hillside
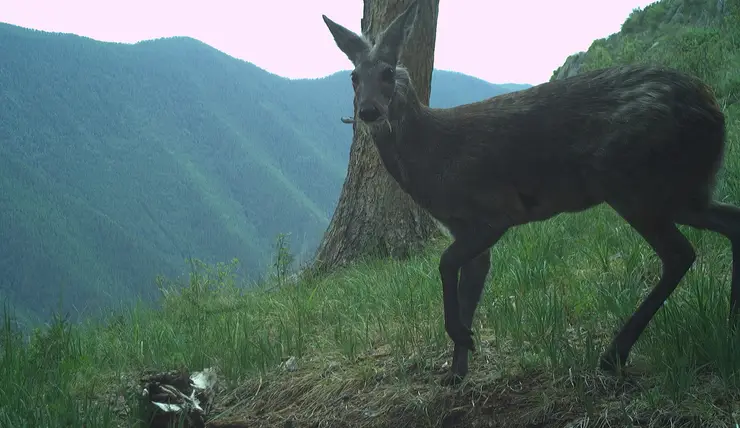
(369, 340)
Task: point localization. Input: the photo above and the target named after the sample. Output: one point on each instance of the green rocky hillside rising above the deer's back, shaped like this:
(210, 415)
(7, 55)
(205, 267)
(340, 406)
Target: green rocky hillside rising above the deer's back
(693, 36)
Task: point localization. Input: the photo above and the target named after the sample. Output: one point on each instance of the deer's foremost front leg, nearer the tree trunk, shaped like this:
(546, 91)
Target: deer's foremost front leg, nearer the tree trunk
(469, 243)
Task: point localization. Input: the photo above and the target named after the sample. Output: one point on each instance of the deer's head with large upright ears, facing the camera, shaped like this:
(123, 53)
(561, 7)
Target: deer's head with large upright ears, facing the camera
(374, 78)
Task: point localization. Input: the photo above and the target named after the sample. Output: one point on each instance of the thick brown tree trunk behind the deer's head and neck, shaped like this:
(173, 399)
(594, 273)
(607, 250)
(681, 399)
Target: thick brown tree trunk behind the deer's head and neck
(374, 217)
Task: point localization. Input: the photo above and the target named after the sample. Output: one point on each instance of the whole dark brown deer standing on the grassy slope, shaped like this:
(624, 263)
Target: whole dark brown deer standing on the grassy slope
(645, 140)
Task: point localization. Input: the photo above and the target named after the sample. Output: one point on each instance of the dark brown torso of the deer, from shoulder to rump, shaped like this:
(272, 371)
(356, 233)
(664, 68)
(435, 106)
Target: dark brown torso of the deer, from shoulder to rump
(645, 133)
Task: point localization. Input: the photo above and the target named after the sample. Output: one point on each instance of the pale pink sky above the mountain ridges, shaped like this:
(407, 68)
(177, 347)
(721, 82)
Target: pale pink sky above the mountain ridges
(499, 41)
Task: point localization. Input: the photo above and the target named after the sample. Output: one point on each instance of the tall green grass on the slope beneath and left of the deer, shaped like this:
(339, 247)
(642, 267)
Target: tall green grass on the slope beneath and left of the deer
(557, 292)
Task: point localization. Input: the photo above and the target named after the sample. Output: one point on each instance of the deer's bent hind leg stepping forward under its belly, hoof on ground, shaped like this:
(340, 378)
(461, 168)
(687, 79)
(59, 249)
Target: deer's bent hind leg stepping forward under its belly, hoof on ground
(676, 254)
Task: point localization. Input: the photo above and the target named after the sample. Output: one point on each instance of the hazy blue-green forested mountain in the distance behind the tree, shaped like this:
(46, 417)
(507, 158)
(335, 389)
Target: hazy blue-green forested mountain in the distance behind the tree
(119, 161)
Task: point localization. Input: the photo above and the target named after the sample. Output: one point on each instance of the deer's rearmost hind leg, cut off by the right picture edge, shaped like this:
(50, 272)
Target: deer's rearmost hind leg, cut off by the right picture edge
(725, 220)
